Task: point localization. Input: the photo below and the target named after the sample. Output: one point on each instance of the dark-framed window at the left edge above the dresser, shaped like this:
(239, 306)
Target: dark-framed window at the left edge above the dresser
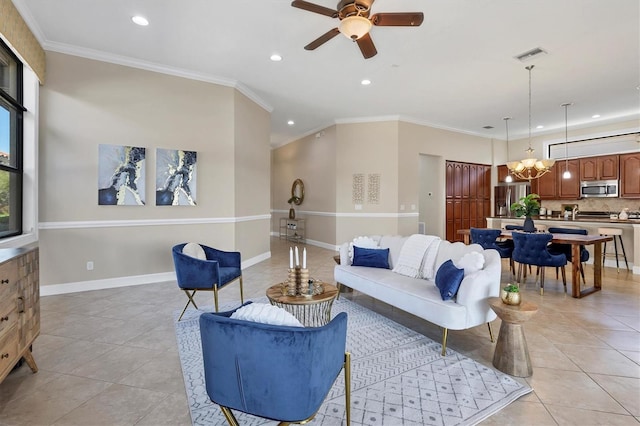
(11, 114)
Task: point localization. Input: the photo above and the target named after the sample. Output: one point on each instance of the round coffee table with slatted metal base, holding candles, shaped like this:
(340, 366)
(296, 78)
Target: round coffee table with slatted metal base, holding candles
(311, 311)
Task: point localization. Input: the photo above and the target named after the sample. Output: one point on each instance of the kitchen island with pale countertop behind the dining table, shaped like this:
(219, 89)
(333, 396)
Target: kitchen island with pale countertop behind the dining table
(630, 232)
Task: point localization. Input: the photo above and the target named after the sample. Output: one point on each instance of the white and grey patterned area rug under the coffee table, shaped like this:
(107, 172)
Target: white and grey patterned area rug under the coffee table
(398, 378)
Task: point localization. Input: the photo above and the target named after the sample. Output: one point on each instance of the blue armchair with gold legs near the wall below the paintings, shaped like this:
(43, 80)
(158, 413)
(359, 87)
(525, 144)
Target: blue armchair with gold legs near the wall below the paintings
(216, 271)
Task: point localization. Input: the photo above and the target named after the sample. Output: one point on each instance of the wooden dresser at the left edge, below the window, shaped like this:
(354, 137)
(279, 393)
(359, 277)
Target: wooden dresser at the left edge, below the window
(19, 306)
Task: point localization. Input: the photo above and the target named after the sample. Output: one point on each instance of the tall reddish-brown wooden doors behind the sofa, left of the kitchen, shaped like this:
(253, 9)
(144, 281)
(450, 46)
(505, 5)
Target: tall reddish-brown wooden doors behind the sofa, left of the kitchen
(468, 197)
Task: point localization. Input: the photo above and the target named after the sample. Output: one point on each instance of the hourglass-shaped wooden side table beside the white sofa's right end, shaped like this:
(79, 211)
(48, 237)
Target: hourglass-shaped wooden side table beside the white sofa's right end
(512, 355)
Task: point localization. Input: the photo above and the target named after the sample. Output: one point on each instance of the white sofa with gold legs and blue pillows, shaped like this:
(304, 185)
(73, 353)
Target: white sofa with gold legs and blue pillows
(421, 297)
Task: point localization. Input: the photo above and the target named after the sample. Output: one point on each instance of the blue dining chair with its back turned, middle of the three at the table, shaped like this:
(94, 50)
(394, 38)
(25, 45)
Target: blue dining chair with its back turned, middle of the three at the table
(531, 249)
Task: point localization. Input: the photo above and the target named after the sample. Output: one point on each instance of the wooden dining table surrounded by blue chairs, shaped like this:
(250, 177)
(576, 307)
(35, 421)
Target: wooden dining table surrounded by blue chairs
(575, 240)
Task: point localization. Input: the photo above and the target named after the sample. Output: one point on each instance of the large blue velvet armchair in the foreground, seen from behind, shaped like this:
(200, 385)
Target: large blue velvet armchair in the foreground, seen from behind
(276, 372)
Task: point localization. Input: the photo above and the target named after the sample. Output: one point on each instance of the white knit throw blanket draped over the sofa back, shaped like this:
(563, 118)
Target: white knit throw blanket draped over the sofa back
(416, 250)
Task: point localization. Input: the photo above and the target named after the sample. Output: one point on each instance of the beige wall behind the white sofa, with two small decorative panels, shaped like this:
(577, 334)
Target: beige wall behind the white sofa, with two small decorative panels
(390, 148)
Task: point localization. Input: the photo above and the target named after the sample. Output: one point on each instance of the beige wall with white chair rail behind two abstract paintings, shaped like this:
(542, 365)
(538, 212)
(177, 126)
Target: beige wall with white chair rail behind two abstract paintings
(86, 103)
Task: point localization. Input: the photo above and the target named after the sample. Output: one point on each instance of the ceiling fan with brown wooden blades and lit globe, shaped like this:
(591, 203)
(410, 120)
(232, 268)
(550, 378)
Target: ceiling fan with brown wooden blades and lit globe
(355, 22)
